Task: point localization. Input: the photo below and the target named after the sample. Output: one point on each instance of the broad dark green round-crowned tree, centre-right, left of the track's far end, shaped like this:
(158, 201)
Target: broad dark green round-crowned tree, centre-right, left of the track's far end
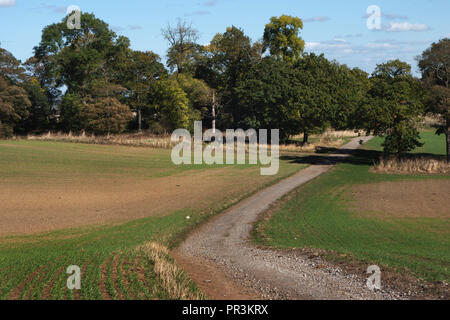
(304, 97)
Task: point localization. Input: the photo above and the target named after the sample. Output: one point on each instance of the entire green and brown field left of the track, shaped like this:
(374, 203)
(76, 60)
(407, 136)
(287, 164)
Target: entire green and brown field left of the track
(114, 211)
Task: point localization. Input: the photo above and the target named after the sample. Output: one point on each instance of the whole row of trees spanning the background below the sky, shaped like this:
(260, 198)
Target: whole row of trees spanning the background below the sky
(89, 79)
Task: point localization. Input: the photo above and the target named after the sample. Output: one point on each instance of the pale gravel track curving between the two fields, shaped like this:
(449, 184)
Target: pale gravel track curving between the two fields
(224, 263)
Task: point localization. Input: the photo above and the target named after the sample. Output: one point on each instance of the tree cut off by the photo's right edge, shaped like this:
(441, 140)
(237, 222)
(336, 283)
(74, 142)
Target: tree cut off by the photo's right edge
(435, 66)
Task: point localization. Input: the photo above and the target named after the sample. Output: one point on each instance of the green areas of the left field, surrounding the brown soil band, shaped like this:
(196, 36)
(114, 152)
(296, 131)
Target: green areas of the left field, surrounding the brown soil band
(113, 262)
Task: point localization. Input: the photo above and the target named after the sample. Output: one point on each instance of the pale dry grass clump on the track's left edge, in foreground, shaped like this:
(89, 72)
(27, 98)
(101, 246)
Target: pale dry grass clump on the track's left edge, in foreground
(175, 282)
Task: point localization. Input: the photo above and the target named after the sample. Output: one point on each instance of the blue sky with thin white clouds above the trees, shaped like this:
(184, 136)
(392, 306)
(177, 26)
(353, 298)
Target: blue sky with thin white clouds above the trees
(336, 28)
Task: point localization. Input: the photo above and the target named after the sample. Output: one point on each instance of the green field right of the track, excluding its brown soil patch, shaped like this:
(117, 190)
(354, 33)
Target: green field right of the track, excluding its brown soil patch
(319, 215)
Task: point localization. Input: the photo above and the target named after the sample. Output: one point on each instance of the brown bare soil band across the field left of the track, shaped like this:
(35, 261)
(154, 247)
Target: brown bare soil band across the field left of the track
(33, 208)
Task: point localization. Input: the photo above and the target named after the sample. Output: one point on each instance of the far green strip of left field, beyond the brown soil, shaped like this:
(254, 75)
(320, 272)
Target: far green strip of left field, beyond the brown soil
(38, 159)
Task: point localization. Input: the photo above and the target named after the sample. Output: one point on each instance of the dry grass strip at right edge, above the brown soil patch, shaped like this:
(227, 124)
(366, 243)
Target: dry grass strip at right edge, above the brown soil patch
(421, 165)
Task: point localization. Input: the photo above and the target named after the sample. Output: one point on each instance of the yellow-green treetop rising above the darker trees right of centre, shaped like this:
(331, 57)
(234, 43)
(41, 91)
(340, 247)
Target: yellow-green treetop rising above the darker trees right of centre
(281, 37)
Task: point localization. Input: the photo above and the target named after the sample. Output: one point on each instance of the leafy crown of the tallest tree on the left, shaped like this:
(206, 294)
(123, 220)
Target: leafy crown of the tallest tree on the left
(76, 57)
